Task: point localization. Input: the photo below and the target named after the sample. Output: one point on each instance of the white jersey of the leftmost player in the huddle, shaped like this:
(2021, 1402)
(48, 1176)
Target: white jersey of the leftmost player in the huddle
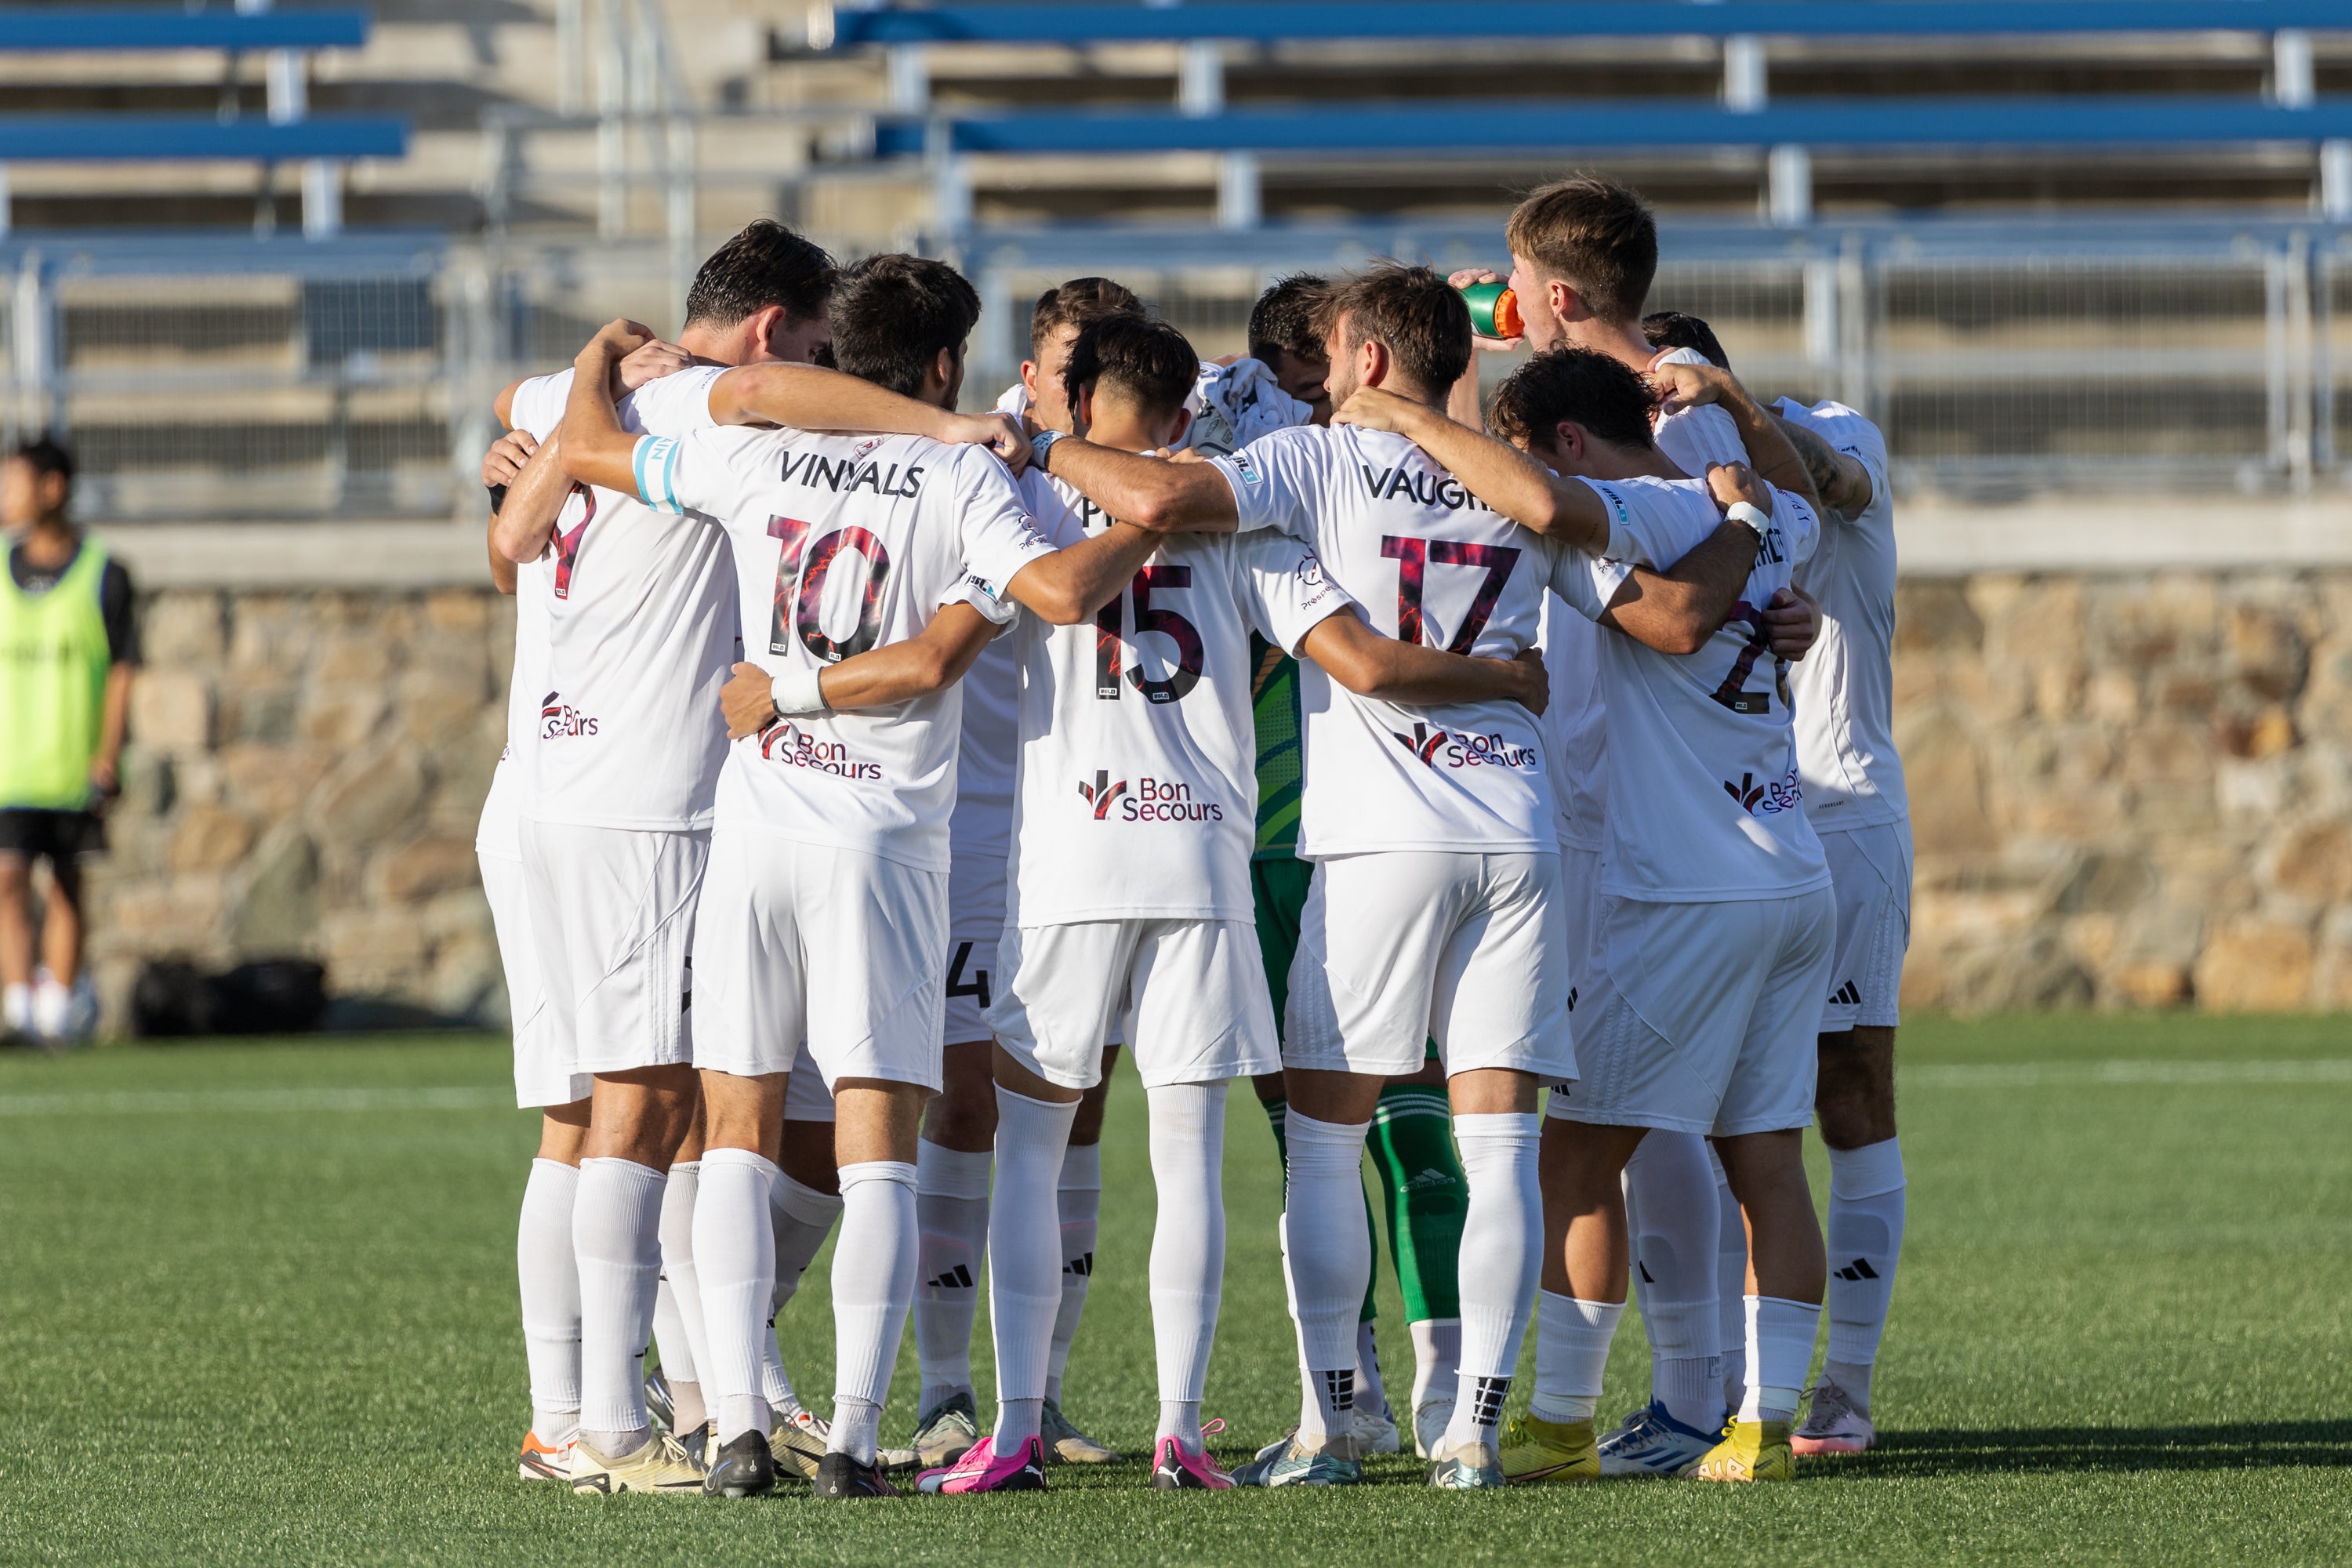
(641, 631)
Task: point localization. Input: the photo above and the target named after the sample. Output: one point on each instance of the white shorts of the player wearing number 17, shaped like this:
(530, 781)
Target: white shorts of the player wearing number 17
(1398, 949)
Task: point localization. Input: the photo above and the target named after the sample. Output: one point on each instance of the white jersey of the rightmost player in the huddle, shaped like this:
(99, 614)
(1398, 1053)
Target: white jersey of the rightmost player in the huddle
(1845, 685)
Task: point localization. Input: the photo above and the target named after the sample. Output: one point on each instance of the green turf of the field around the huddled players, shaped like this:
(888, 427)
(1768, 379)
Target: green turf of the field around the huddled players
(253, 1334)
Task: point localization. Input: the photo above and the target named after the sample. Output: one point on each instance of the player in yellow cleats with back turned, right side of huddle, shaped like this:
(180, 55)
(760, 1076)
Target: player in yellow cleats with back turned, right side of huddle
(1718, 932)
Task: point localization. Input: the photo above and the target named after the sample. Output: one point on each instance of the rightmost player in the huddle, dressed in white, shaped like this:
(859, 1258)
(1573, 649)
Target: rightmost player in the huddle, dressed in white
(1859, 808)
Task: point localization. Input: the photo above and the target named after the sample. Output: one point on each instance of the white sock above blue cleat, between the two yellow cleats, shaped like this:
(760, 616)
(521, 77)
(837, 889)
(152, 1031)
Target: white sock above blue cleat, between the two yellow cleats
(1676, 1233)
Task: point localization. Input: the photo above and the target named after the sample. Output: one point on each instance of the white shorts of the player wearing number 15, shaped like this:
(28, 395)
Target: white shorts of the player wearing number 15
(1191, 996)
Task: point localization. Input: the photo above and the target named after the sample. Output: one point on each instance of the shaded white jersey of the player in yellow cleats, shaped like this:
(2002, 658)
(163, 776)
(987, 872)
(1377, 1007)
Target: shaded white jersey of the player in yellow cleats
(1704, 793)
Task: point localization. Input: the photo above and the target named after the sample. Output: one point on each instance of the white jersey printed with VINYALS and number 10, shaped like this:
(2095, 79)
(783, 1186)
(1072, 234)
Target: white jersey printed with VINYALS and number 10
(846, 544)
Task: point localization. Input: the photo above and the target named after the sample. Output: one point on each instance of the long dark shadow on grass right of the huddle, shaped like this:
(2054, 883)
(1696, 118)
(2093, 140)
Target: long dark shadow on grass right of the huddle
(2102, 1449)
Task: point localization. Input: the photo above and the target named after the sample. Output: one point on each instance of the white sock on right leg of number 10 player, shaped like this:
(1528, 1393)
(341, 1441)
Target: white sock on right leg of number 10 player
(874, 1285)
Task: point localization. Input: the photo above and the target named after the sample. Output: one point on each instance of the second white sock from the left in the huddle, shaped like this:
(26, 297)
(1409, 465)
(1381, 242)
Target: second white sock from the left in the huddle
(615, 1235)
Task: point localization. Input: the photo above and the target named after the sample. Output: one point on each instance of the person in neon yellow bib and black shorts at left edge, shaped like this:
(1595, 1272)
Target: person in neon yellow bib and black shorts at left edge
(69, 650)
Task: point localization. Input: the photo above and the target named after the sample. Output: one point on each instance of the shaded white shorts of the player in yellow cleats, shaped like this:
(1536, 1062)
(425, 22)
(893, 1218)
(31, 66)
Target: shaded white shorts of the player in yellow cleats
(1706, 1017)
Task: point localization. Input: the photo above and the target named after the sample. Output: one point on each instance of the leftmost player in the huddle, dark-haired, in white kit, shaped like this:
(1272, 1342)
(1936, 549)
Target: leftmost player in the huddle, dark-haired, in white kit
(615, 833)
